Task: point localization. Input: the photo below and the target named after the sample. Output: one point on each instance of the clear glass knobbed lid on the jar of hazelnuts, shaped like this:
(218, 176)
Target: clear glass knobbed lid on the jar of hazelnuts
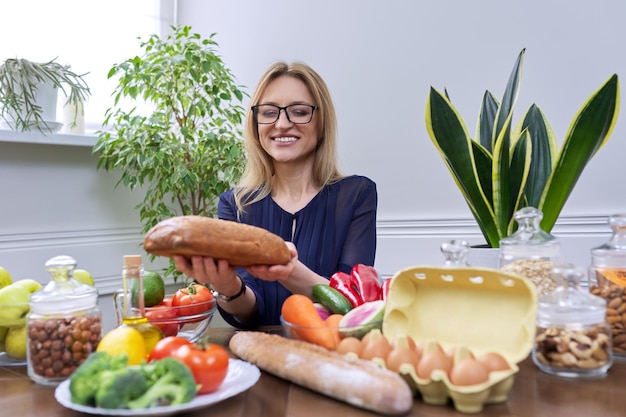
(63, 294)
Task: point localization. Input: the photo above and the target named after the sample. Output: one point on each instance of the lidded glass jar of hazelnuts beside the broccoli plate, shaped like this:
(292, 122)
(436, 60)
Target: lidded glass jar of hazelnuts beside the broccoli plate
(64, 324)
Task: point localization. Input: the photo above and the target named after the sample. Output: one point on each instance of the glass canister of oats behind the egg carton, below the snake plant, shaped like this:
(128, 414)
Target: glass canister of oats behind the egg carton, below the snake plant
(530, 251)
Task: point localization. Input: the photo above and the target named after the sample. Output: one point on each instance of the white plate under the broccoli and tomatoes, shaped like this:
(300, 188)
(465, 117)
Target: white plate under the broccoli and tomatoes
(241, 376)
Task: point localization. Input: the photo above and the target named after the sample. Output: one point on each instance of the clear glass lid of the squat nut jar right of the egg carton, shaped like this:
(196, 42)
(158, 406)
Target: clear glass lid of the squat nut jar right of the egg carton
(568, 305)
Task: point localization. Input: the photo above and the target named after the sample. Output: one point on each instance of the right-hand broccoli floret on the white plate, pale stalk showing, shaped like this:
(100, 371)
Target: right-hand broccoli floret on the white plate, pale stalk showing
(170, 383)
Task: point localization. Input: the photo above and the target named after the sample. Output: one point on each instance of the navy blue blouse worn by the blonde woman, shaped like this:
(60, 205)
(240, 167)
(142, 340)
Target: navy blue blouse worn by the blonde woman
(335, 231)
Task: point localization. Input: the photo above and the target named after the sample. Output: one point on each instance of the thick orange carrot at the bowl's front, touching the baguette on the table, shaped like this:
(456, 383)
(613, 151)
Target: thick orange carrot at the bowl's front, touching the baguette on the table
(300, 311)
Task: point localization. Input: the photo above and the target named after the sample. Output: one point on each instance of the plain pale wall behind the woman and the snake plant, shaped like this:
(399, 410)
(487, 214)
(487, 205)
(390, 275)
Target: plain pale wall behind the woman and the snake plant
(380, 58)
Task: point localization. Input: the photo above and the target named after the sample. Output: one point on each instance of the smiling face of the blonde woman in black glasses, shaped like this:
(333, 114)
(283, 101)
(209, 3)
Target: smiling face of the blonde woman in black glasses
(284, 141)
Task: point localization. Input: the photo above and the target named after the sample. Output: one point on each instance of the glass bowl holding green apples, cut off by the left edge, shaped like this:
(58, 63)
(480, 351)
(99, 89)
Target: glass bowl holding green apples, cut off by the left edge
(12, 336)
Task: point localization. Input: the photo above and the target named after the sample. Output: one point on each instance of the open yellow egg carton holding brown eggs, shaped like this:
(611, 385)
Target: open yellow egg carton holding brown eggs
(471, 310)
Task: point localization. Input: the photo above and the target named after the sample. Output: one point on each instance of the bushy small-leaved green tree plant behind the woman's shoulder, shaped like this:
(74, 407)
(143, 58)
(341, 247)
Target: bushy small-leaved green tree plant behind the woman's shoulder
(188, 149)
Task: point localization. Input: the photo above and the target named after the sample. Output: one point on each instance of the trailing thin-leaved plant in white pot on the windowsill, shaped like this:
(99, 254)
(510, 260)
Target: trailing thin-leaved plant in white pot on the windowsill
(23, 82)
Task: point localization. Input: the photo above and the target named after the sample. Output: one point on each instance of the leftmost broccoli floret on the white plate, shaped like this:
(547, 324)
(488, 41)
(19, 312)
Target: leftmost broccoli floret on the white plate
(84, 382)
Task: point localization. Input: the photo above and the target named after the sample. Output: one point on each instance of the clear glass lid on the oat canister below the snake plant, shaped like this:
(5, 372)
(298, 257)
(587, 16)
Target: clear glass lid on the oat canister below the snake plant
(529, 241)
